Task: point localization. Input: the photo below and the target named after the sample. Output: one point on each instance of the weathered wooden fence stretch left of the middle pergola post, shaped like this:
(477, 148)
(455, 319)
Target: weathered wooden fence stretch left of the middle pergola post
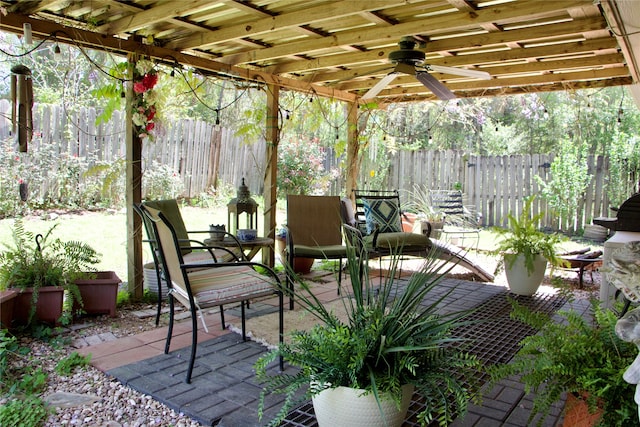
(197, 151)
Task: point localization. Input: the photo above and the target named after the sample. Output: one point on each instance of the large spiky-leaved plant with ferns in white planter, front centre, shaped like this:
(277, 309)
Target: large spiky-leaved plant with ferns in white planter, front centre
(390, 346)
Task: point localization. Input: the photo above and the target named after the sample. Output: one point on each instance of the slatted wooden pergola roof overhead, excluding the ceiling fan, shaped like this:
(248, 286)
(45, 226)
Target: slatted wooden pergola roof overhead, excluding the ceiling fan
(339, 48)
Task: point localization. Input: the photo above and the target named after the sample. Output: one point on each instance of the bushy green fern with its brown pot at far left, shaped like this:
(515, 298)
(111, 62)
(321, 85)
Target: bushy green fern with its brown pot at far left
(42, 268)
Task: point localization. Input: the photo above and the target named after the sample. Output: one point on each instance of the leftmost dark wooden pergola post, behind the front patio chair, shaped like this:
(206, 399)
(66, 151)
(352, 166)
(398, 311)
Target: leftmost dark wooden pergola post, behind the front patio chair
(133, 195)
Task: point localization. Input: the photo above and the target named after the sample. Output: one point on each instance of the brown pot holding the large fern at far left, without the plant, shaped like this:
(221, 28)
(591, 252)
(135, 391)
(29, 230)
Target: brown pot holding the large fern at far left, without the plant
(48, 306)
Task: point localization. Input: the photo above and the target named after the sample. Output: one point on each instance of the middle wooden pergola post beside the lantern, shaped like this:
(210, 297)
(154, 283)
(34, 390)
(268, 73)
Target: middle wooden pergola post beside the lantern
(271, 170)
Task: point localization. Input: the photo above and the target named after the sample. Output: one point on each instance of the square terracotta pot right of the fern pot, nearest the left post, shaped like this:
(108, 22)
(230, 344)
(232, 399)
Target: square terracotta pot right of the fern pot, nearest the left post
(100, 294)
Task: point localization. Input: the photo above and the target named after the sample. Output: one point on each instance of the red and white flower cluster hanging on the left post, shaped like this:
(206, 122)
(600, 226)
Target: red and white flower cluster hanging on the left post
(144, 101)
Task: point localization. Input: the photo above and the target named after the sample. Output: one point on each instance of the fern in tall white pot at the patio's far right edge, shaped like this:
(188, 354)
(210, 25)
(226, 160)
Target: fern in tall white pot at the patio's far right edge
(526, 250)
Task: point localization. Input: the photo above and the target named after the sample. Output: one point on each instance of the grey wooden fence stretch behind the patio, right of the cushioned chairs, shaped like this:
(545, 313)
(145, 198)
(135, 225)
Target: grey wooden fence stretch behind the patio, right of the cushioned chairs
(497, 185)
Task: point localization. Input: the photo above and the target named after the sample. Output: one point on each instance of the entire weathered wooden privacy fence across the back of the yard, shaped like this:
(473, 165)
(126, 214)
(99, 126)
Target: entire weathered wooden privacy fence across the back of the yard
(204, 156)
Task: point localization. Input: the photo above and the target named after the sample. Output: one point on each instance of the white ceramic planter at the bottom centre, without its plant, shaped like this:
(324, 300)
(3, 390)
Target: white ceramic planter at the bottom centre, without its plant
(344, 406)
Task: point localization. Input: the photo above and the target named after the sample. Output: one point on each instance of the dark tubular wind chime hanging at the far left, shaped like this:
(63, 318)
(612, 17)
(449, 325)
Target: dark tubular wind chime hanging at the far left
(22, 105)
